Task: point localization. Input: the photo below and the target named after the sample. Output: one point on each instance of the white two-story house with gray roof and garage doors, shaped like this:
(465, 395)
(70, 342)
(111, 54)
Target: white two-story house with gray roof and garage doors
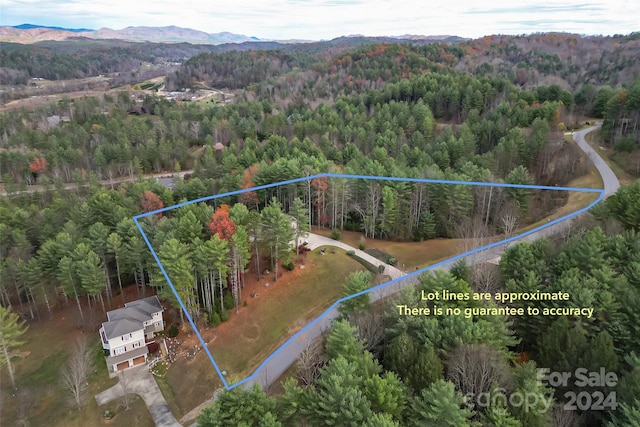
(126, 333)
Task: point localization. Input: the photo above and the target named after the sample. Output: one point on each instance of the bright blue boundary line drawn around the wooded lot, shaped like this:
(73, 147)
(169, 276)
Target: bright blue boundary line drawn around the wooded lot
(366, 291)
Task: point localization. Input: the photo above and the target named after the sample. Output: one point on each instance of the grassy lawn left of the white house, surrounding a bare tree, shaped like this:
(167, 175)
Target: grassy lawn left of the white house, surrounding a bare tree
(41, 400)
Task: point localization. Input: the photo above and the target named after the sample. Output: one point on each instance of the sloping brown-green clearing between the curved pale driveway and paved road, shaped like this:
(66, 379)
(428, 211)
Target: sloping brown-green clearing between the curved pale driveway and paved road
(279, 311)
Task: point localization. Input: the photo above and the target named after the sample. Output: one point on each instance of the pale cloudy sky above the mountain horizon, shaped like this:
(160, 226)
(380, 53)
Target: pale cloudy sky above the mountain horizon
(325, 19)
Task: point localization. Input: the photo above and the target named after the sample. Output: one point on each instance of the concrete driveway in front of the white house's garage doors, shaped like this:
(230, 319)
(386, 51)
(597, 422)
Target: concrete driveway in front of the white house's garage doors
(140, 381)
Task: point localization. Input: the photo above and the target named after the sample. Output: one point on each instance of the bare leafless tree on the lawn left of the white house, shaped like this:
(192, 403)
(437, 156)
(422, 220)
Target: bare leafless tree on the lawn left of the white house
(75, 374)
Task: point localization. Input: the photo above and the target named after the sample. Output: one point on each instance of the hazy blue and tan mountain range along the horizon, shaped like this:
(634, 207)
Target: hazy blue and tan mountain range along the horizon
(30, 33)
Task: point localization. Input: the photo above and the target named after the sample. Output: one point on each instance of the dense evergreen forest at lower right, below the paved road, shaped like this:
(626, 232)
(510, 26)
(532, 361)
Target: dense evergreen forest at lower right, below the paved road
(391, 370)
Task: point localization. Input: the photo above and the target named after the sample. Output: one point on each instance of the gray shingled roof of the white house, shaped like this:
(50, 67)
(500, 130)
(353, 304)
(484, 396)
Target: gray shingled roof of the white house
(131, 317)
